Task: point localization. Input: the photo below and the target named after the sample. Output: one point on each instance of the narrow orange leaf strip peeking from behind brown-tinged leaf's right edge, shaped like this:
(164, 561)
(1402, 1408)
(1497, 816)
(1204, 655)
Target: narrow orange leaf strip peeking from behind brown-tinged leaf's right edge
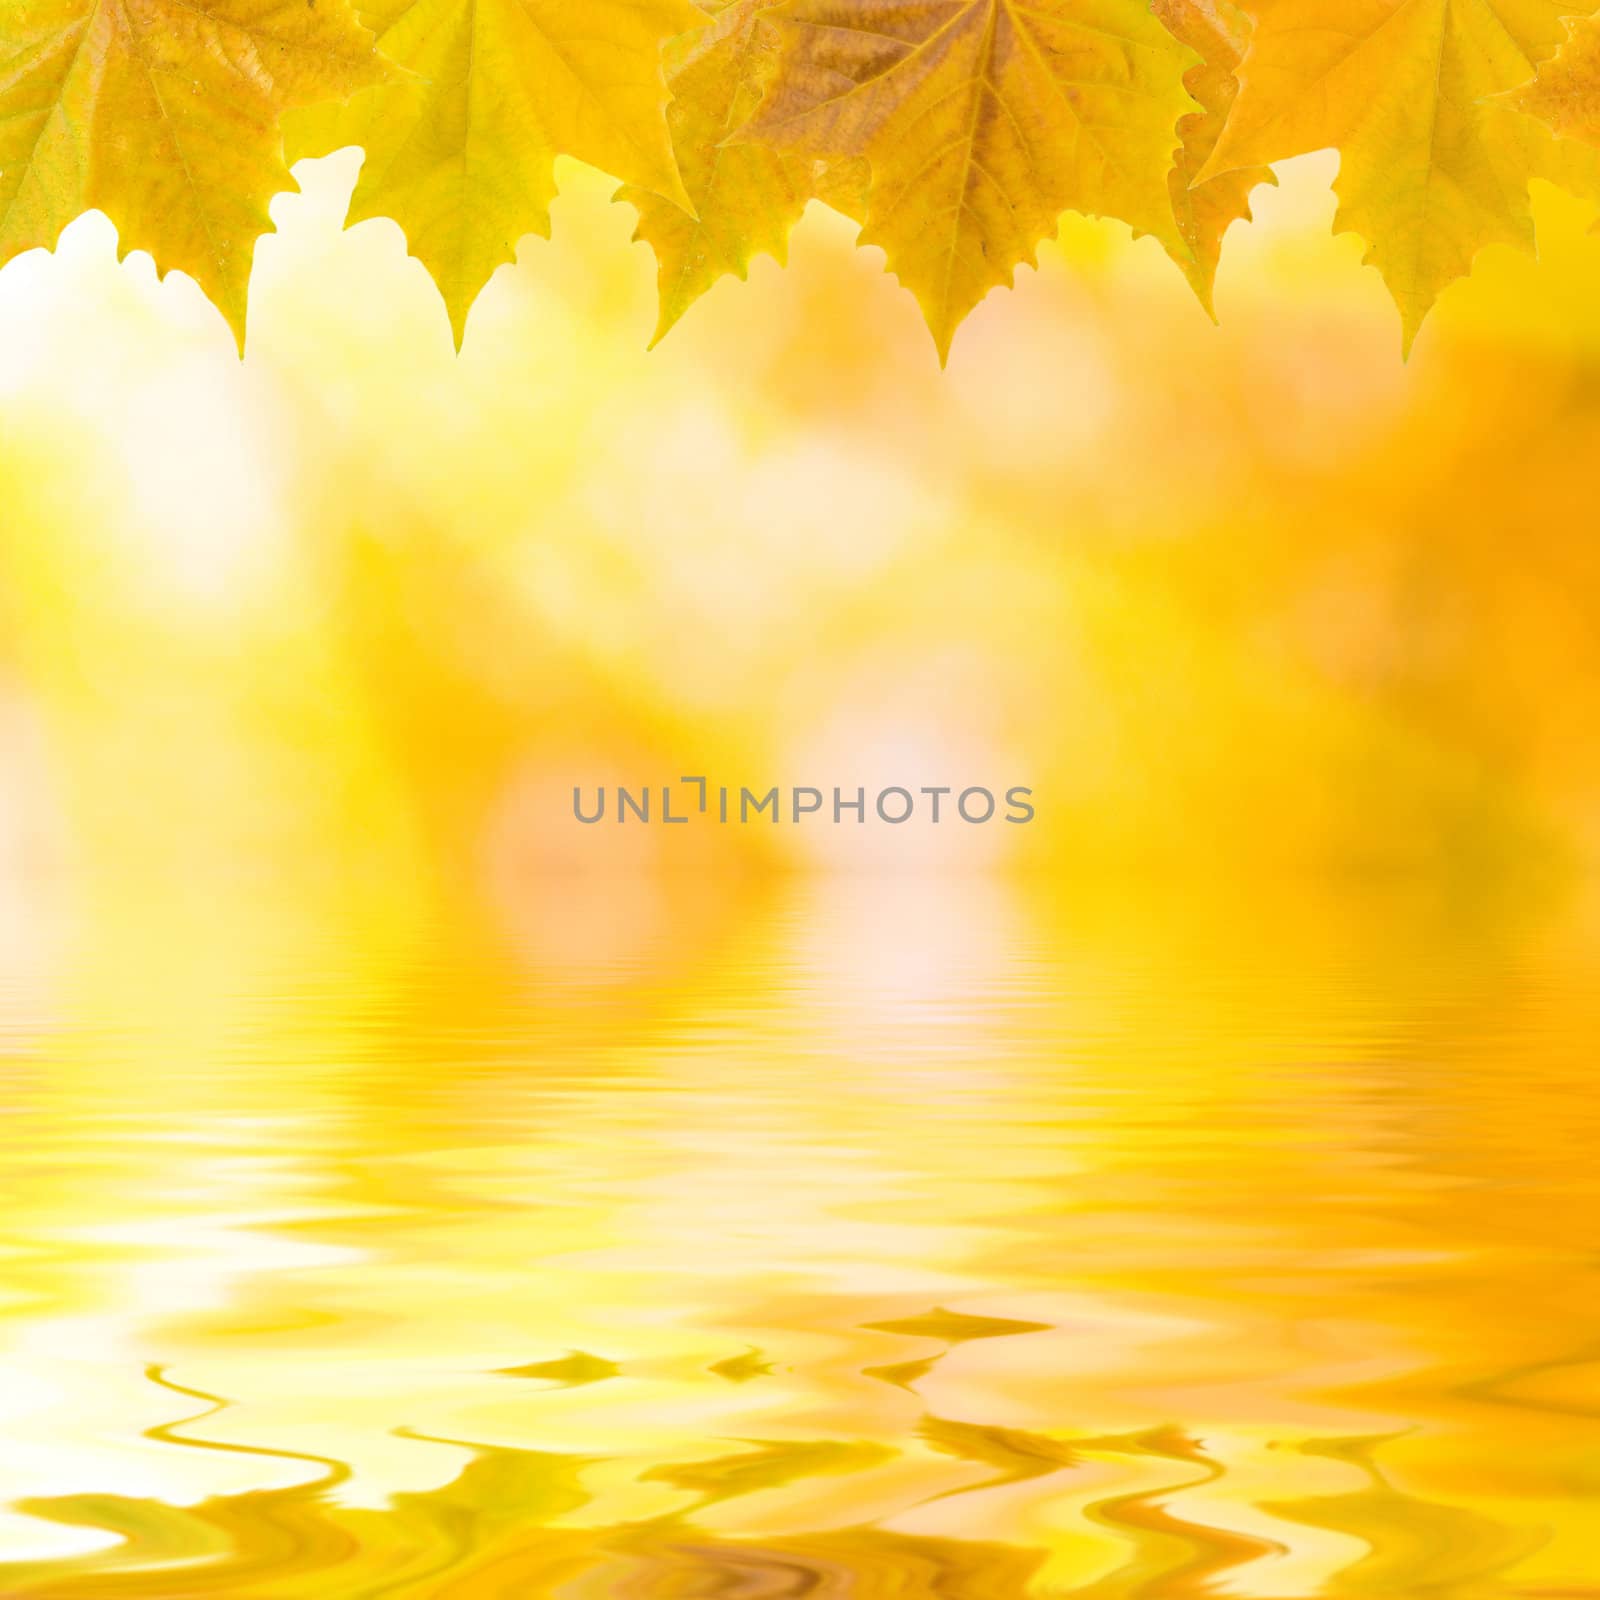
(1218, 33)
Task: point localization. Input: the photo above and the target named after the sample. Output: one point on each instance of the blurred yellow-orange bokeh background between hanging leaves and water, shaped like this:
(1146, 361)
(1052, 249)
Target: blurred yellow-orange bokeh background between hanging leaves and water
(1255, 594)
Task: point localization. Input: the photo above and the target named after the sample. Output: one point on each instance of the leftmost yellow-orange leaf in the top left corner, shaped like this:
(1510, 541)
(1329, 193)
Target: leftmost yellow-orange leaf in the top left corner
(166, 116)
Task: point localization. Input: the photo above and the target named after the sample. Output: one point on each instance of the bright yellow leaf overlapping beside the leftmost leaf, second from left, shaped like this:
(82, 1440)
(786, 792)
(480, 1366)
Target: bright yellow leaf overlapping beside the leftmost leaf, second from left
(462, 151)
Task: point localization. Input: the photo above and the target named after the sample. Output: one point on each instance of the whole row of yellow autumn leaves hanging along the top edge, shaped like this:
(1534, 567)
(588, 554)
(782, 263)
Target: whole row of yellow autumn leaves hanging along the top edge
(954, 132)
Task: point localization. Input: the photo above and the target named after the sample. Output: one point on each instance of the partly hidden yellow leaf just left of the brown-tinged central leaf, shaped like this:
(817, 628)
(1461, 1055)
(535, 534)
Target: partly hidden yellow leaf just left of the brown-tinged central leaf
(746, 198)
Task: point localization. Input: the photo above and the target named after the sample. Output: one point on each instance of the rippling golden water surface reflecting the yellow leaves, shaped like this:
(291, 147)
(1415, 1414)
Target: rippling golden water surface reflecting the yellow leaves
(903, 1239)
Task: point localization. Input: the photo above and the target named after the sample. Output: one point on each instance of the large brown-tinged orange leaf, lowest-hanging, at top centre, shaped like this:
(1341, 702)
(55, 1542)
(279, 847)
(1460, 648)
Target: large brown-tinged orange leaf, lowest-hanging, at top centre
(982, 122)
